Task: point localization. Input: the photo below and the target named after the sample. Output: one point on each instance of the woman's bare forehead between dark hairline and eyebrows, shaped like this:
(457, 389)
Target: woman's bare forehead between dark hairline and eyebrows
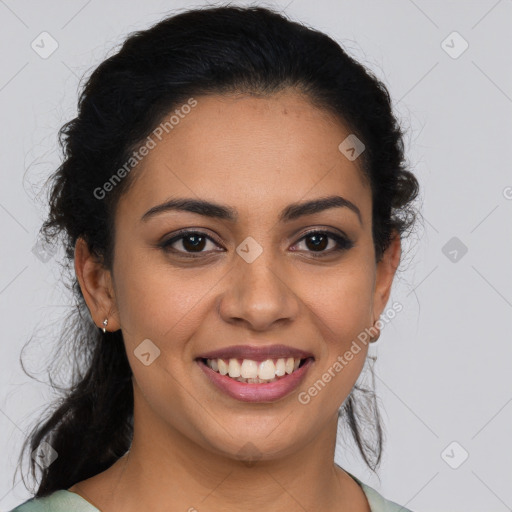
(247, 151)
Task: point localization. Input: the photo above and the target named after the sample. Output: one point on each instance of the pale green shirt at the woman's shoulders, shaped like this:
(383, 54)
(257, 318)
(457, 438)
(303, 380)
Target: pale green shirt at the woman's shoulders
(67, 501)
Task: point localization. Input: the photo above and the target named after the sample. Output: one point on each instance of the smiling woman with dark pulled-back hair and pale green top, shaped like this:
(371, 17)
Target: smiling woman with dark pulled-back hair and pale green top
(232, 199)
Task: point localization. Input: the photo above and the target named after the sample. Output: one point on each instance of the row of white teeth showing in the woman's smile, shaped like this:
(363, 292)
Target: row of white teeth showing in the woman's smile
(255, 372)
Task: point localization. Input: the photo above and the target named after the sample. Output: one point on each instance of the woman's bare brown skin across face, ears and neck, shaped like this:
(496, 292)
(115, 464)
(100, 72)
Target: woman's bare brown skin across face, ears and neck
(257, 155)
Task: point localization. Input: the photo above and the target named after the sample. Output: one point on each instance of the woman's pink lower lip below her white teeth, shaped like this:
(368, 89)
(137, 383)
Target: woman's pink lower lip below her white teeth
(247, 392)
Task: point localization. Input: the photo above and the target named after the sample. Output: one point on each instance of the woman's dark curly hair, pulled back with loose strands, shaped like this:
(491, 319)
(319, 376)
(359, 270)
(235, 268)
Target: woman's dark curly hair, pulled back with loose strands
(214, 50)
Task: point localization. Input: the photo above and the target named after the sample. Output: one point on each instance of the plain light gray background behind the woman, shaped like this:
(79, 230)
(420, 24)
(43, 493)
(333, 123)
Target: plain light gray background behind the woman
(443, 369)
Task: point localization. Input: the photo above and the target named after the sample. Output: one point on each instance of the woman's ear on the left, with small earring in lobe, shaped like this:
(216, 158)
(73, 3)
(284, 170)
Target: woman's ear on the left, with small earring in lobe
(96, 284)
